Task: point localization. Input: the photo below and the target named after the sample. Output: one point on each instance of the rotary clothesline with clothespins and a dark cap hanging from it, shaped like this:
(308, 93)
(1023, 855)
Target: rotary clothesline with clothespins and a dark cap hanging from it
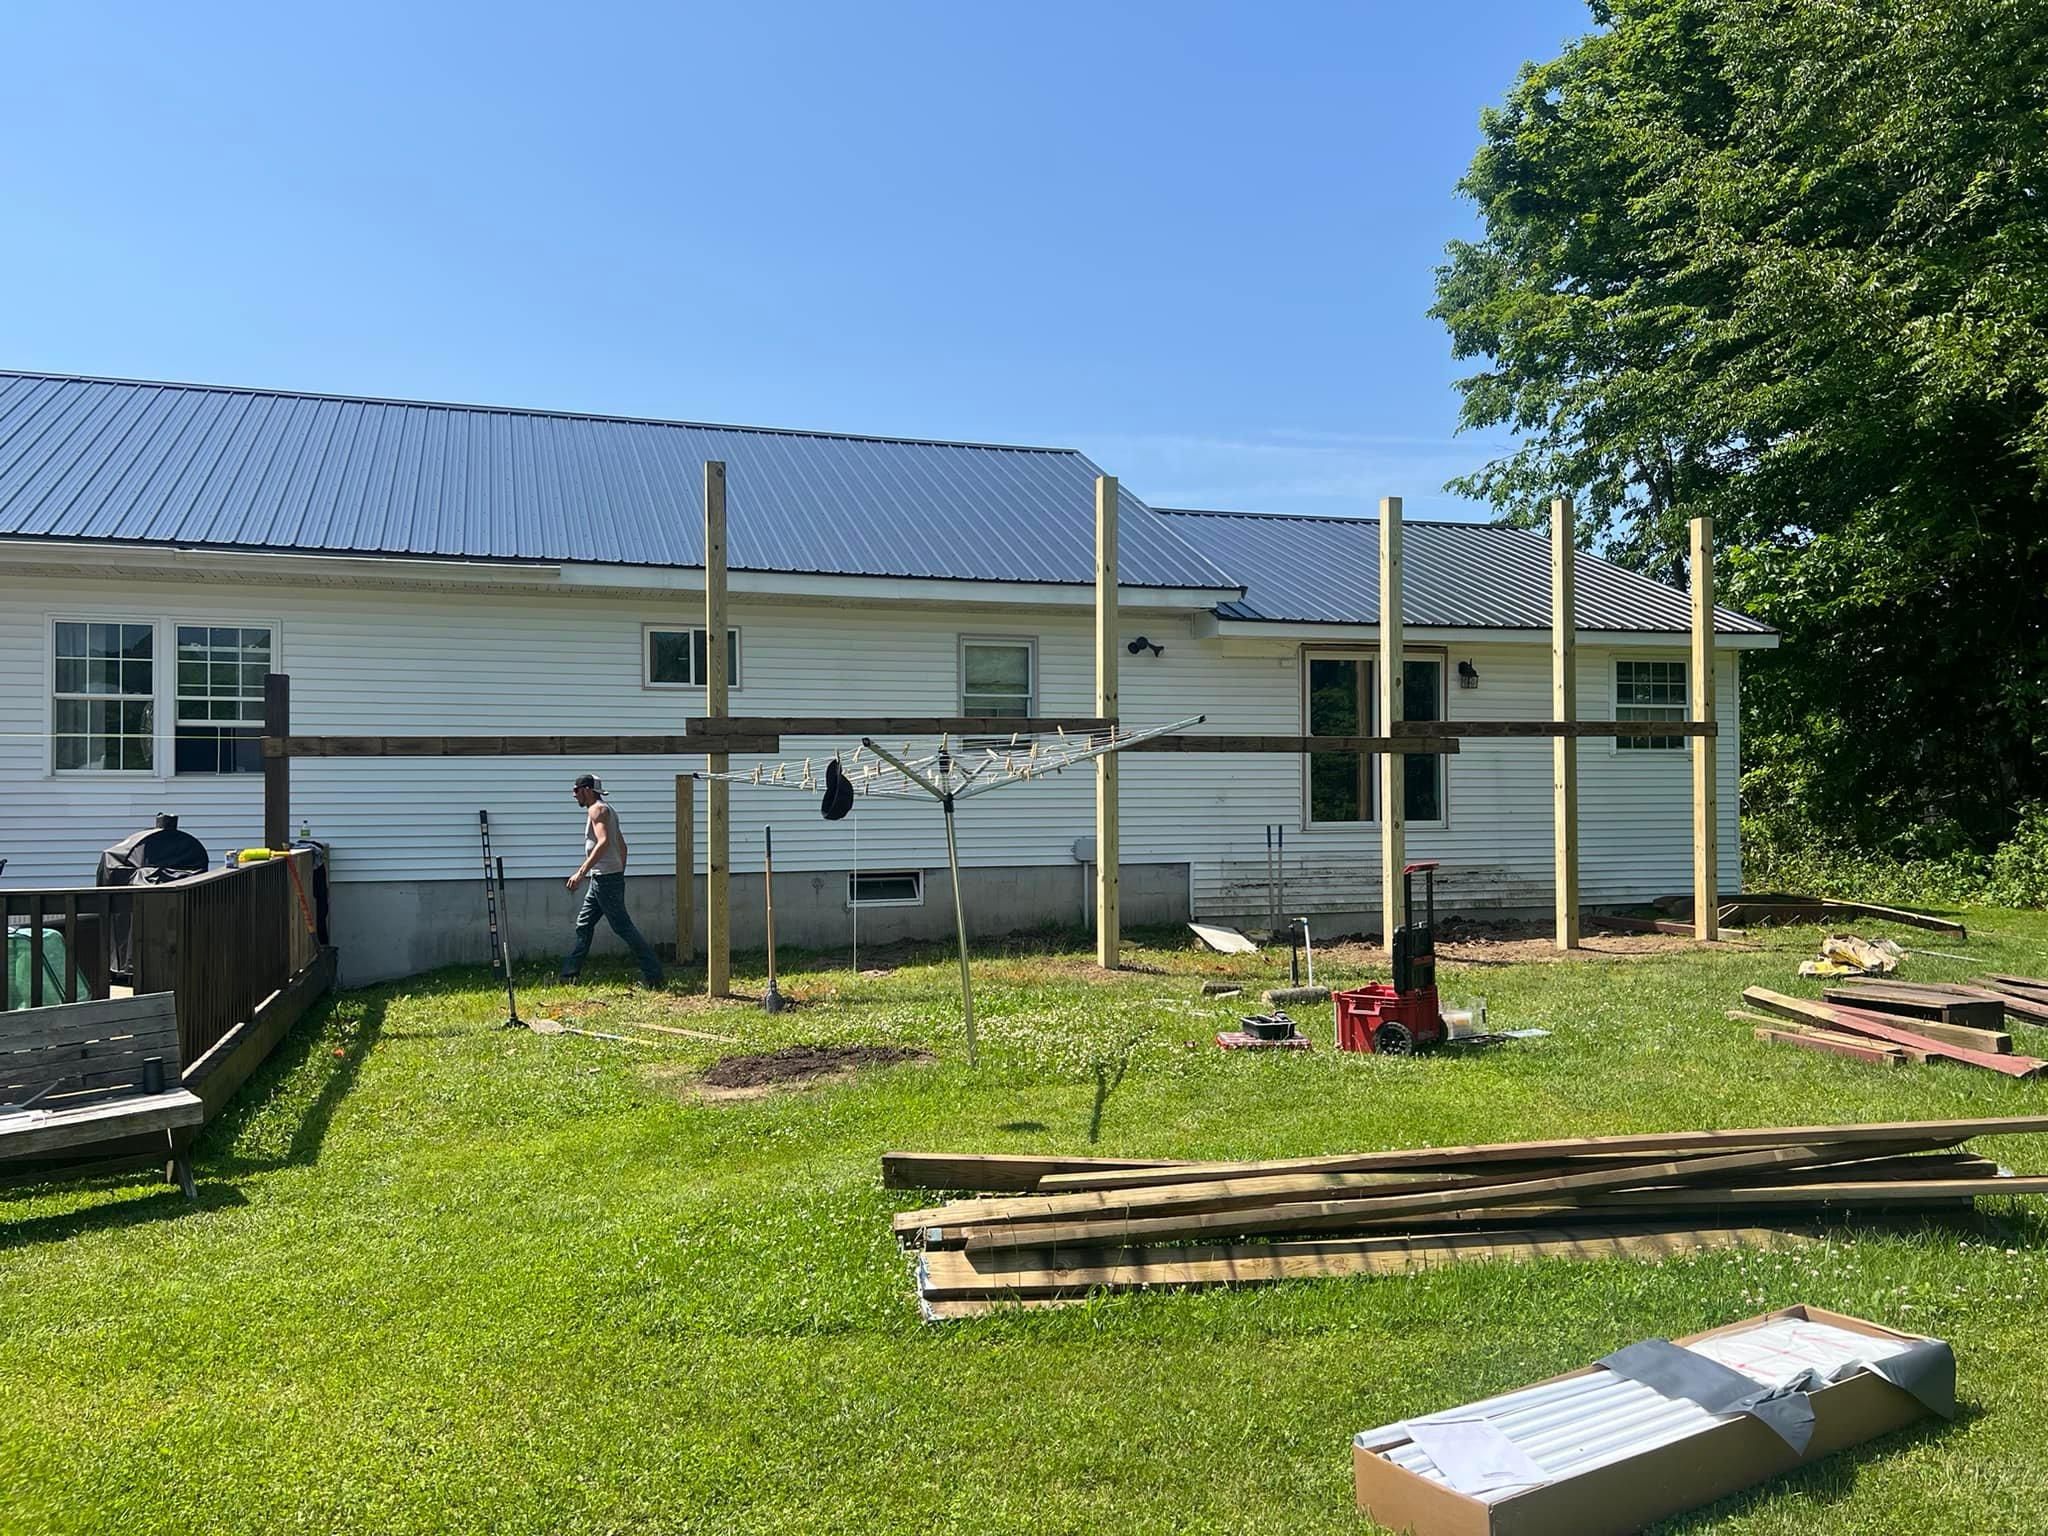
(945, 775)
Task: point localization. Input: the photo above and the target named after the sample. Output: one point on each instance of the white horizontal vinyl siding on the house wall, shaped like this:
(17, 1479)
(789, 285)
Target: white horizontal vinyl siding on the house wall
(394, 663)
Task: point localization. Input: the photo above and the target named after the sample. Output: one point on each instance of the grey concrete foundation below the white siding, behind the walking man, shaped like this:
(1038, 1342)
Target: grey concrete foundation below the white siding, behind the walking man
(400, 929)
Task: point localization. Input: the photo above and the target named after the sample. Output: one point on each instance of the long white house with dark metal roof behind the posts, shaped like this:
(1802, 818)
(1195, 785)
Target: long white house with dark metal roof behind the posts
(427, 568)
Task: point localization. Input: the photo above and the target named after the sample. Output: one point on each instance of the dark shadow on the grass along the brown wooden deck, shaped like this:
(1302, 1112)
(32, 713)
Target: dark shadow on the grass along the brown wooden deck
(304, 1082)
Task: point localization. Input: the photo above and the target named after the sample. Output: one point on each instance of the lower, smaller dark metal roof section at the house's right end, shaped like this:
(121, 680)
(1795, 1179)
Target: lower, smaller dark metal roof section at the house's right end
(1455, 577)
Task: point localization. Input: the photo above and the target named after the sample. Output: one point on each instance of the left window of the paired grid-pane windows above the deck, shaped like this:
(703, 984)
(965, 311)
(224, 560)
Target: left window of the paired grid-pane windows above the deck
(103, 697)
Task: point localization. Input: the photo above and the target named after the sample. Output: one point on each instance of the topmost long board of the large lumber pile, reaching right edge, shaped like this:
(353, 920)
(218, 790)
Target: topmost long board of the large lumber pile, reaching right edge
(1537, 1152)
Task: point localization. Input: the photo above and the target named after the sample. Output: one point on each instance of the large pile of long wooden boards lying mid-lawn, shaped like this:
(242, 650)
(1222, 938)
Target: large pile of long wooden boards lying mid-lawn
(1056, 1230)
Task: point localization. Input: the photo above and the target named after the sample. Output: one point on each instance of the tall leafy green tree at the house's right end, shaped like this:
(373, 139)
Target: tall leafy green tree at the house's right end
(1787, 263)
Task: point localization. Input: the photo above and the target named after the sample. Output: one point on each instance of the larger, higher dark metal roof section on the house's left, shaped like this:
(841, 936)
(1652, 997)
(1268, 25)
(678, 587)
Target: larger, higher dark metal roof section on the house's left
(114, 460)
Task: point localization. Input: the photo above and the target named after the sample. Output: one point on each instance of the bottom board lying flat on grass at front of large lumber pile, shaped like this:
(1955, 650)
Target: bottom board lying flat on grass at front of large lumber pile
(951, 1275)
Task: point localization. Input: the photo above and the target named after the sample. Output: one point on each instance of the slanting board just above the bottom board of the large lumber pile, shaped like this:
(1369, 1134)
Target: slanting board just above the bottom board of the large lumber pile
(1177, 1228)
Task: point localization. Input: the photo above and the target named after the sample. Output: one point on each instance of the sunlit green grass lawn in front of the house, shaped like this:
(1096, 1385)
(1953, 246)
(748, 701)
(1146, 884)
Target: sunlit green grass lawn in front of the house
(447, 1277)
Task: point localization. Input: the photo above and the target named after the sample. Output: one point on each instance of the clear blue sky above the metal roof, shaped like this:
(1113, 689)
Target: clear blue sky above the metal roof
(1195, 241)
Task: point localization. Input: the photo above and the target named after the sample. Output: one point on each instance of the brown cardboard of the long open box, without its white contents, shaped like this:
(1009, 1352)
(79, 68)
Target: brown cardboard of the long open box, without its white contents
(1660, 1482)
